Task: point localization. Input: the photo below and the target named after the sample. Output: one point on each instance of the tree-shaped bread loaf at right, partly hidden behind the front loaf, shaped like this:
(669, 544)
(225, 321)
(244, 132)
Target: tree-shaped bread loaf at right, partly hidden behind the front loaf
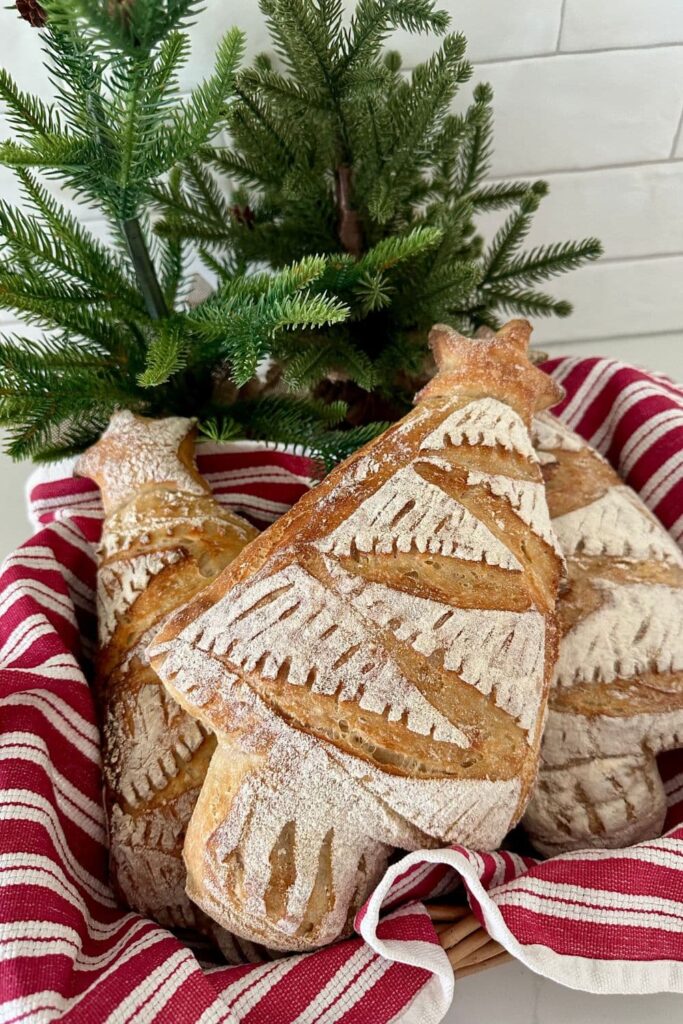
(618, 697)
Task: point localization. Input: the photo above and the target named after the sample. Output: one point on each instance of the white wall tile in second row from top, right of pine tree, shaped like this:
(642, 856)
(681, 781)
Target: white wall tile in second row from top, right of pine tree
(586, 110)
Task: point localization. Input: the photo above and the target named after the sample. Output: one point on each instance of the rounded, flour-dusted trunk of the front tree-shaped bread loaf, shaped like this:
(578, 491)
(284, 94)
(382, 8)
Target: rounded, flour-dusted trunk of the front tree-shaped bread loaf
(234, 882)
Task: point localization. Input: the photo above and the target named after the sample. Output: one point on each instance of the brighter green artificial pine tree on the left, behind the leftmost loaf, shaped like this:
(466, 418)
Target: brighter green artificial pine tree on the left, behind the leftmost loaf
(117, 329)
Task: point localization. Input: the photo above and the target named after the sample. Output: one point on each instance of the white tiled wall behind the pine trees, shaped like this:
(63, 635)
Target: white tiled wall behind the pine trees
(589, 95)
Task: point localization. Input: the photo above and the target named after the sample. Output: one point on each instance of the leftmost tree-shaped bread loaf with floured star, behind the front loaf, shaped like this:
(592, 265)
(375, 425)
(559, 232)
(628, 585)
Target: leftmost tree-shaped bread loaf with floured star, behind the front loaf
(164, 539)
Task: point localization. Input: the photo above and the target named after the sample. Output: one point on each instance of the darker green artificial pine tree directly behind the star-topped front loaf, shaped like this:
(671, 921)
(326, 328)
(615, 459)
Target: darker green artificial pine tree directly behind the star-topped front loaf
(339, 152)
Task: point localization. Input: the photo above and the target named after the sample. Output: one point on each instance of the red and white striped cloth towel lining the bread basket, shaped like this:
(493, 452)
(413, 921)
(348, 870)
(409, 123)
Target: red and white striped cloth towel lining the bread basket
(606, 922)
